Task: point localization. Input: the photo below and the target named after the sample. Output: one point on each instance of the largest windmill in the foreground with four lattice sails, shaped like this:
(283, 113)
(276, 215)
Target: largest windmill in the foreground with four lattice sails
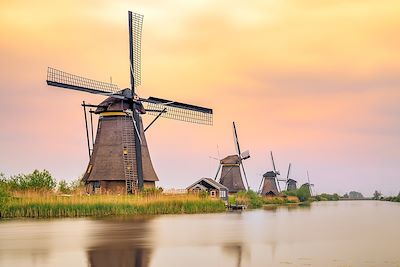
(120, 160)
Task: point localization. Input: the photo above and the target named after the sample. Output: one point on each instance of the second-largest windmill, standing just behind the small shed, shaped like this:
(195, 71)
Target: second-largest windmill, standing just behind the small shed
(230, 168)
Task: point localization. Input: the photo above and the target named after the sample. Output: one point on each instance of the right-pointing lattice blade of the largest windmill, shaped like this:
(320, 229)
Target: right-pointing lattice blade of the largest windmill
(178, 111)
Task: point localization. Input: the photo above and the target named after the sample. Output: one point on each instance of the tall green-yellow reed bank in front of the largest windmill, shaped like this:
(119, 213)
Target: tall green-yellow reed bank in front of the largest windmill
(39, 206)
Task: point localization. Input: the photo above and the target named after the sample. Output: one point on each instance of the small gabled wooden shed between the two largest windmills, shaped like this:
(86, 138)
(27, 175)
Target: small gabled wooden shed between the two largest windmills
(215, 189)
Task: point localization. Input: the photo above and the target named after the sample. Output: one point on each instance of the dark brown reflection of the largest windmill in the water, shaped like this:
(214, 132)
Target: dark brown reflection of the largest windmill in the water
(121, 243)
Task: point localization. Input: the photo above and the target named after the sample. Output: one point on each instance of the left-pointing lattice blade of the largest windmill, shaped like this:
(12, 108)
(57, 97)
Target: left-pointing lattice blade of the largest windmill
(66, 80)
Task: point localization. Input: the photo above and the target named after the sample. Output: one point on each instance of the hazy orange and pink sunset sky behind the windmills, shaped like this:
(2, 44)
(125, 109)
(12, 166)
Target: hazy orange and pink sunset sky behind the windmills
(317, 82)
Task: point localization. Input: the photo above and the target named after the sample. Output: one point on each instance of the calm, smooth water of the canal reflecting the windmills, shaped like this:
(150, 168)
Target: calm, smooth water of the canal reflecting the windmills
(353, 233)
